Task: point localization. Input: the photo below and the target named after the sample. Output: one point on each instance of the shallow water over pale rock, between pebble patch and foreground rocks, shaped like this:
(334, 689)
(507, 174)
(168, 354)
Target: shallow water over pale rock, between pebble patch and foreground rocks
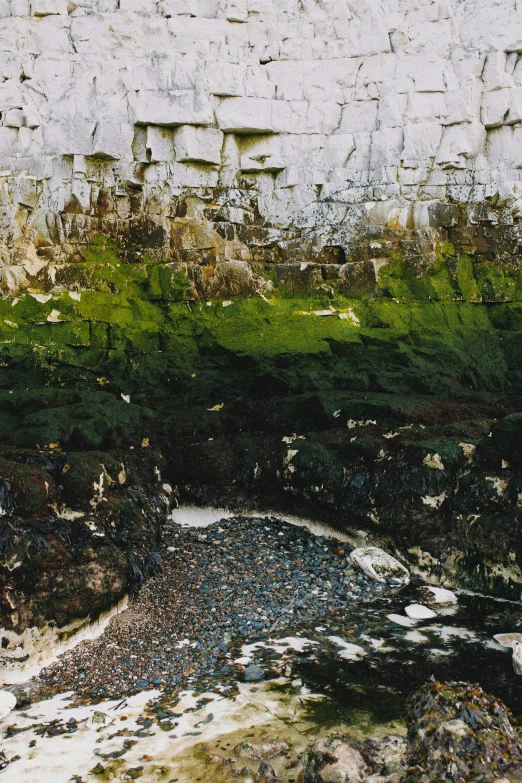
(320, 682)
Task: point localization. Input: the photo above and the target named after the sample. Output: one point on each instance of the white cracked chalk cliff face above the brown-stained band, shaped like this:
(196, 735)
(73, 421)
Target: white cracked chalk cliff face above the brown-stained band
(391, 104)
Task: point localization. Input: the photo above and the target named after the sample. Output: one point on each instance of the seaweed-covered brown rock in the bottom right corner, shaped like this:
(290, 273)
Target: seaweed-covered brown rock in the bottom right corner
(457, 732)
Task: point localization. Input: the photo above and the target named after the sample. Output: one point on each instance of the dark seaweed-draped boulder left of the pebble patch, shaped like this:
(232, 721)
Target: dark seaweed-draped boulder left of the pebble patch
(79, 528)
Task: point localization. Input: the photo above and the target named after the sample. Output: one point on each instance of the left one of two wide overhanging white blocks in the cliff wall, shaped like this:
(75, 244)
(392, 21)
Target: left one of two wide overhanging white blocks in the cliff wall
(171, 107)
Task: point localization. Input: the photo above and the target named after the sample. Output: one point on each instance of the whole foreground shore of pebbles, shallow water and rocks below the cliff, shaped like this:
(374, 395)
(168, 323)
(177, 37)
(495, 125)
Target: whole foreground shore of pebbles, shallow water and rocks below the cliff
(248, 606)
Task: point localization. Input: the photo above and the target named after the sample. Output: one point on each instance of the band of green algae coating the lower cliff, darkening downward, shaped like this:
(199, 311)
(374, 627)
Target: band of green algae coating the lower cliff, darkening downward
(217, 384)
